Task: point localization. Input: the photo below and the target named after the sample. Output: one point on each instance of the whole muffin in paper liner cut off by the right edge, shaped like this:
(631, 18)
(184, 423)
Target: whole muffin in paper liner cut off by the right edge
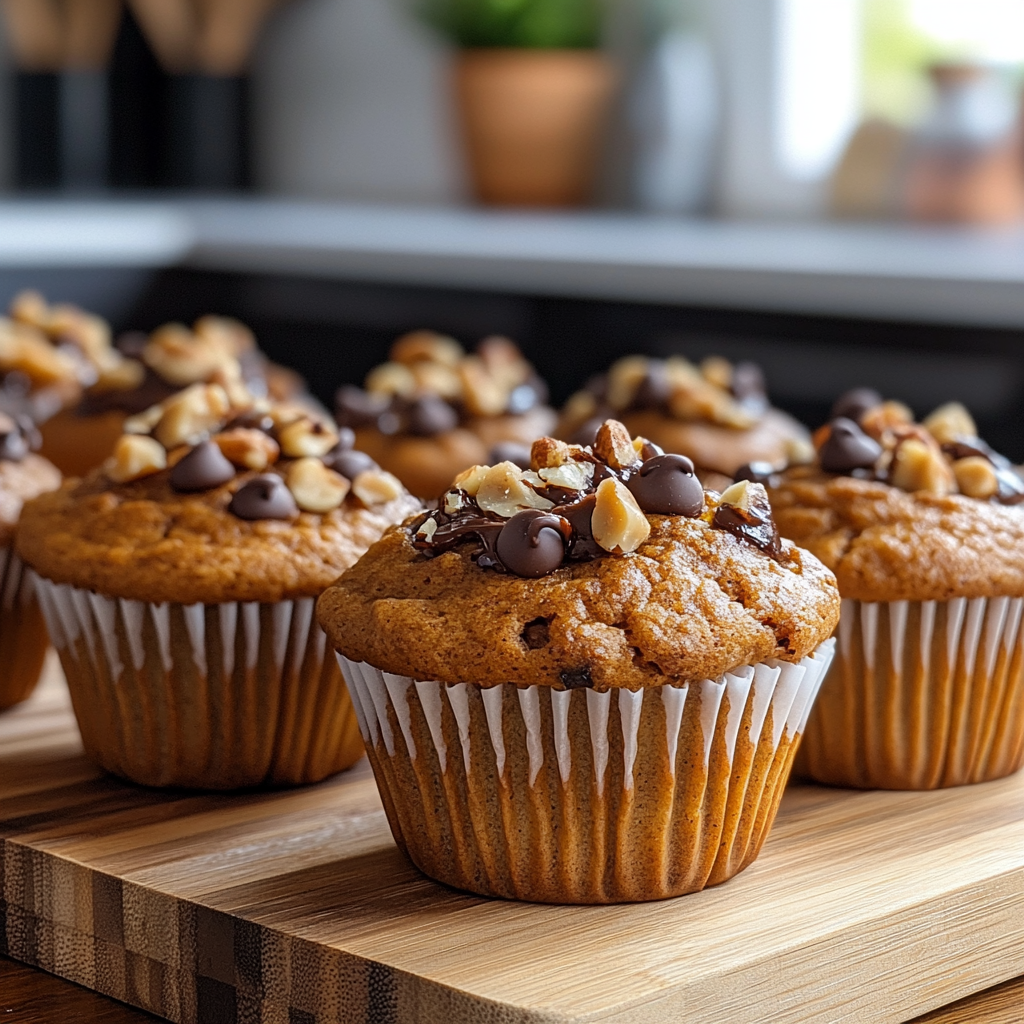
(921, 526)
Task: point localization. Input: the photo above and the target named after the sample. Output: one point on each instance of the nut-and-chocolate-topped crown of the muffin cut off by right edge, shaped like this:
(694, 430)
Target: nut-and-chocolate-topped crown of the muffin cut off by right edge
(901, 510)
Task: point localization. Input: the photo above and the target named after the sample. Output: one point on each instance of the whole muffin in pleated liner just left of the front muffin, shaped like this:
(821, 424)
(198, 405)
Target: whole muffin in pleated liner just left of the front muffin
(179, 583)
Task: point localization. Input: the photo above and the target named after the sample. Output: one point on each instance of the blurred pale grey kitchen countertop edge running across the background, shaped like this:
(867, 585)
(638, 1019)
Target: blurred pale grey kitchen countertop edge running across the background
(924, 275)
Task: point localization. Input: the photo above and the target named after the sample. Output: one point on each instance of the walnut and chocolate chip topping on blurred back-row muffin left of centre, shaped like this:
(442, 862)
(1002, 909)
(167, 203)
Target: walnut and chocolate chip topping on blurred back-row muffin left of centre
(432, 387)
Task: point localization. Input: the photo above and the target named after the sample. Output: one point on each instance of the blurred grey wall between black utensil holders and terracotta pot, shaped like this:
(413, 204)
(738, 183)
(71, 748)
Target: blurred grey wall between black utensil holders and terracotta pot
(351, 100)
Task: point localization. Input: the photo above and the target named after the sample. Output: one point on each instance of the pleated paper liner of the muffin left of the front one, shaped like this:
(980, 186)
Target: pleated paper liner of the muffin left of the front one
(210, 697)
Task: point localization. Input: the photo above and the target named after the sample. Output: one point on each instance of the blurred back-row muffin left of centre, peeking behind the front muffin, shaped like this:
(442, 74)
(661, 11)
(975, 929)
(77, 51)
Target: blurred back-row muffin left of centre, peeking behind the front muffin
(434, 411)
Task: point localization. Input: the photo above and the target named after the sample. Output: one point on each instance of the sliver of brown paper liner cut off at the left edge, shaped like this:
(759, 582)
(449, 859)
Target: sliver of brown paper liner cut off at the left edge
(23, 633)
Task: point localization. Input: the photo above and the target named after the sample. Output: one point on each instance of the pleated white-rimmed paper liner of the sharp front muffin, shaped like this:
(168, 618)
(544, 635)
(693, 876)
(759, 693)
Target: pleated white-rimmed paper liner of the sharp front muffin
(580, 797)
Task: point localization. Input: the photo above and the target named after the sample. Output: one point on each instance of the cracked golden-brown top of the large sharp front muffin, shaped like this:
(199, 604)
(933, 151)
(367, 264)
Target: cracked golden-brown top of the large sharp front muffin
(604, 567)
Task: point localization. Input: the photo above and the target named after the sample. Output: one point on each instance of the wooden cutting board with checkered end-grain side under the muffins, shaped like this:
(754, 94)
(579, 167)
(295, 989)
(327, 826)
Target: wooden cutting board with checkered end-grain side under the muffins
(296, 907)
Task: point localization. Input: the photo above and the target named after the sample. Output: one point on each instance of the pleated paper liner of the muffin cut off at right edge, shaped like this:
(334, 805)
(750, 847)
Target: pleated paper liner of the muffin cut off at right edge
(923, 695)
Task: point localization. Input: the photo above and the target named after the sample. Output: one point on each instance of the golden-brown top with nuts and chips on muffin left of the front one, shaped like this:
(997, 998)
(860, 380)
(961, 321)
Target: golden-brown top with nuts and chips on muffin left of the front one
(216, 496)
